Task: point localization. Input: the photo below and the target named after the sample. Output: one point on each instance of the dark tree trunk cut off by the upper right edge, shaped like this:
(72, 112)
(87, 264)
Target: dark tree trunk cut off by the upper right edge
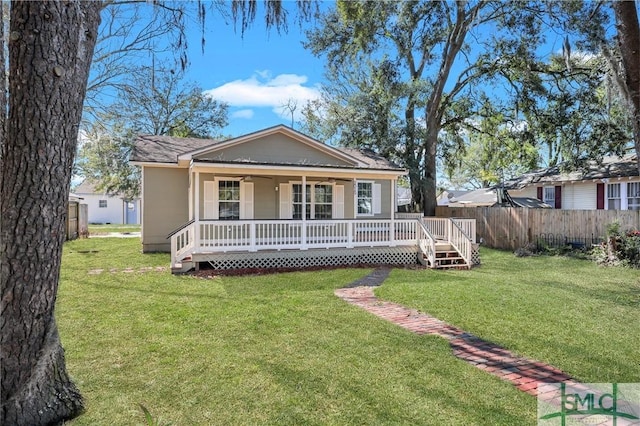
(629, 42)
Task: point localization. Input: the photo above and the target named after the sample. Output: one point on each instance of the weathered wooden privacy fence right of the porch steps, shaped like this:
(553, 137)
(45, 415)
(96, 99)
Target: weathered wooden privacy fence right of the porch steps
(511, 228)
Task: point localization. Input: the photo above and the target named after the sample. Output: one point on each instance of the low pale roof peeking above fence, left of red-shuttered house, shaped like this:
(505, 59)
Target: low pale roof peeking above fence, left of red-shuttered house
(492, 197)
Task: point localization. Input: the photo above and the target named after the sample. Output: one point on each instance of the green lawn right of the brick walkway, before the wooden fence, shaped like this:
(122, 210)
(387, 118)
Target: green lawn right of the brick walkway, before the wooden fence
(573, 314)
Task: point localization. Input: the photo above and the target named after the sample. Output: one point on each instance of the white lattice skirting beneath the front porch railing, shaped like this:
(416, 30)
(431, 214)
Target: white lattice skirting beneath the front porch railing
(311, 258)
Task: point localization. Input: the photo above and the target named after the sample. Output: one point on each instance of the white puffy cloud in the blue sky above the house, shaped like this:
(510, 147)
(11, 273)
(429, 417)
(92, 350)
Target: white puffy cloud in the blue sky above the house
(263, 90)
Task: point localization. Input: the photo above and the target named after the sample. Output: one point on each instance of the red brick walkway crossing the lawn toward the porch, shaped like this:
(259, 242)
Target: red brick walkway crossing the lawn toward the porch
(523, 373)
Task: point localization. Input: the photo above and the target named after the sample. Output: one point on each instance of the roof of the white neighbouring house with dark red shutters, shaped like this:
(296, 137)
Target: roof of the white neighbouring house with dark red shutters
(611, 167)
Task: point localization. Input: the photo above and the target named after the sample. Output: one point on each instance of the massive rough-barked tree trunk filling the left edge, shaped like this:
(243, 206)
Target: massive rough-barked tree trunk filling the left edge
(50, 50)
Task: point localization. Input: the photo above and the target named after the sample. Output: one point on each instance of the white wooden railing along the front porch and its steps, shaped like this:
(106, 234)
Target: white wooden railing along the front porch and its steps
(214, 236)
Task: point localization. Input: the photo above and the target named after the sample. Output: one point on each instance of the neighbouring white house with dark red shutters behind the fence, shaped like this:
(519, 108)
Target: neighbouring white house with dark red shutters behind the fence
(612, 185)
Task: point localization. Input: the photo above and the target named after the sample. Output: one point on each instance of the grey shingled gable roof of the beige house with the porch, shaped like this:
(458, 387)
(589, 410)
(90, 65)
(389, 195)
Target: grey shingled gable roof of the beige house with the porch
(172, 150)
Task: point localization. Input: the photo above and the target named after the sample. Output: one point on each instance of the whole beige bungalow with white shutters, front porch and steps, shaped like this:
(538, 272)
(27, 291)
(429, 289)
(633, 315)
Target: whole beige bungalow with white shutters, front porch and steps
(277, 198)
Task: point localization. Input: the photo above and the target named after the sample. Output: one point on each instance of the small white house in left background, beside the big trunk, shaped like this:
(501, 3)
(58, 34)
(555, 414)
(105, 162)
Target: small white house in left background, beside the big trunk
(103, 208)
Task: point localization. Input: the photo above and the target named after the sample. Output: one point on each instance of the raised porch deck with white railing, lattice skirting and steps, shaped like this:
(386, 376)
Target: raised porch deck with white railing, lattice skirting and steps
(277, 244)
